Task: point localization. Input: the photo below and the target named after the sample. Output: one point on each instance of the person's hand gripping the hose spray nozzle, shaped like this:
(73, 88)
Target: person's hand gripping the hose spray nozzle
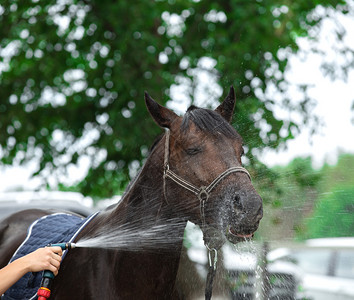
(48, 258)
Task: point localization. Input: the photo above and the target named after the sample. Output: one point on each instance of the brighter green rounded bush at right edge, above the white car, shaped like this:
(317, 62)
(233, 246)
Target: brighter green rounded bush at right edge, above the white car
(333, 214)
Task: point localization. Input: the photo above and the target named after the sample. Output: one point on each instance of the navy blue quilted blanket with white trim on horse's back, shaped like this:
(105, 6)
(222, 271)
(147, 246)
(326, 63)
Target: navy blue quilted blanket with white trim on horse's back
(55, 228)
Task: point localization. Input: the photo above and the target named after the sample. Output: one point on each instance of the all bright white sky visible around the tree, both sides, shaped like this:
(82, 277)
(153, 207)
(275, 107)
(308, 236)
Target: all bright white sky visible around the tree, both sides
(334, 100)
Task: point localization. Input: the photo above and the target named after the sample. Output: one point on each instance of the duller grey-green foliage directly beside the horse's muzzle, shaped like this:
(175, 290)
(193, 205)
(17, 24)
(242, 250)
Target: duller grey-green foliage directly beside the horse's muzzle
(291, 197)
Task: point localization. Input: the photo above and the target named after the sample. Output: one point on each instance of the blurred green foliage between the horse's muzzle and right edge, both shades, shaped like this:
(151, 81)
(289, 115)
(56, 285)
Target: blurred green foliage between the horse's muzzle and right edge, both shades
(312, 203)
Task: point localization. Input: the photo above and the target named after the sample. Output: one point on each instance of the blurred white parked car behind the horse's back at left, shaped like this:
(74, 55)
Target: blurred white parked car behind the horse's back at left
(11, 202)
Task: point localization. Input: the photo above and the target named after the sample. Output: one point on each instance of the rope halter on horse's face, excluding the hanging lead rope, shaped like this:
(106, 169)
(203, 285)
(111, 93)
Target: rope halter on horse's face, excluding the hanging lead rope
(202, 192)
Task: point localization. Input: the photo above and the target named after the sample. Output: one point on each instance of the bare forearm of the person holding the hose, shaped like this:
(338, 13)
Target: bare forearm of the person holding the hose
(10, 274)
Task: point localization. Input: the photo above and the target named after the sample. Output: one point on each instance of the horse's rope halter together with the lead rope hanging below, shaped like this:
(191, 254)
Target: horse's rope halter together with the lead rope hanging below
(202, 193)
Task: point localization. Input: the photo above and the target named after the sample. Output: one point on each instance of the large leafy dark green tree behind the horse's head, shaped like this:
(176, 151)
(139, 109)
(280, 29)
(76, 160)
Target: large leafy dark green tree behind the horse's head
(72, 76)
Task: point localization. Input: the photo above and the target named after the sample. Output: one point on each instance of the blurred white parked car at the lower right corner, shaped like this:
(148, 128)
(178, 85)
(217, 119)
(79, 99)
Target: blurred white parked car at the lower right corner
(328, 266)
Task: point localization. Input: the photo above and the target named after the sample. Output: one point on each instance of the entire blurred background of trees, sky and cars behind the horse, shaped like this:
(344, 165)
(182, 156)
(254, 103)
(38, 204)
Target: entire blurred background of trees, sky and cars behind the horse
(74, 128)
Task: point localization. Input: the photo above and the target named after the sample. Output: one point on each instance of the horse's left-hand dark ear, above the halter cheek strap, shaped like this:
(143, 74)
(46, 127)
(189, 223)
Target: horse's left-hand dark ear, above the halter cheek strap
(162, 115)
